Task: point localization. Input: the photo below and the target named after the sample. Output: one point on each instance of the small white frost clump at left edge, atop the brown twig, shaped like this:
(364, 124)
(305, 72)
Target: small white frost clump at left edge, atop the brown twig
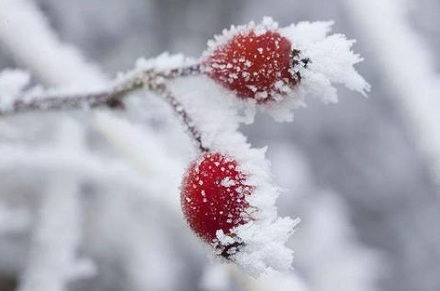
(12, 82)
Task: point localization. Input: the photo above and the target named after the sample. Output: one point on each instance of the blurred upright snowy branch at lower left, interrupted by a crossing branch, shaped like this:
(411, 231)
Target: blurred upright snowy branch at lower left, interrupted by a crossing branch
(56, 238)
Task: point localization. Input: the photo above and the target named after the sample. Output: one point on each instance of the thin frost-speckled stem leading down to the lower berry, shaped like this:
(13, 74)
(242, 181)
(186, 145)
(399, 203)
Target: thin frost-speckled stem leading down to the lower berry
(183, 115)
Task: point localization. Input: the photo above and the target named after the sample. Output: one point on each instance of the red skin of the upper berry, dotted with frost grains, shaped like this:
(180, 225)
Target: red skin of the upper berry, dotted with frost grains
(253, 65)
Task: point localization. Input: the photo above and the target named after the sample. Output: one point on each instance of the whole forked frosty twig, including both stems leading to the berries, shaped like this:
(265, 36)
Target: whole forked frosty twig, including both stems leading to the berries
(148, 78)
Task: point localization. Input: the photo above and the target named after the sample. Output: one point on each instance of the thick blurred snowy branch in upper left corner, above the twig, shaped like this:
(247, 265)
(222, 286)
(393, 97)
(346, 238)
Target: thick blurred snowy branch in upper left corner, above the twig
(26, 32)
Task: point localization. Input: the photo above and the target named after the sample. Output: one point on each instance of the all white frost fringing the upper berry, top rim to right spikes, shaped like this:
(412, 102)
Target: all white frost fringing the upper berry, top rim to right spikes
(331, 62)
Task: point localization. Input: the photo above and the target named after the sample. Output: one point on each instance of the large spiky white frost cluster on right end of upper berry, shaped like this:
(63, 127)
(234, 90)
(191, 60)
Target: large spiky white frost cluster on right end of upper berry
(331, 62)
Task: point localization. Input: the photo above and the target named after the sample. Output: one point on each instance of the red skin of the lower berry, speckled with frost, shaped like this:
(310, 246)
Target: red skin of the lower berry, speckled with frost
(213, 195)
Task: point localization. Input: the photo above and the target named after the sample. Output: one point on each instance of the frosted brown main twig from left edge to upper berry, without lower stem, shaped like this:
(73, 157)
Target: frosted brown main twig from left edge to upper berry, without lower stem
(150, 79)
